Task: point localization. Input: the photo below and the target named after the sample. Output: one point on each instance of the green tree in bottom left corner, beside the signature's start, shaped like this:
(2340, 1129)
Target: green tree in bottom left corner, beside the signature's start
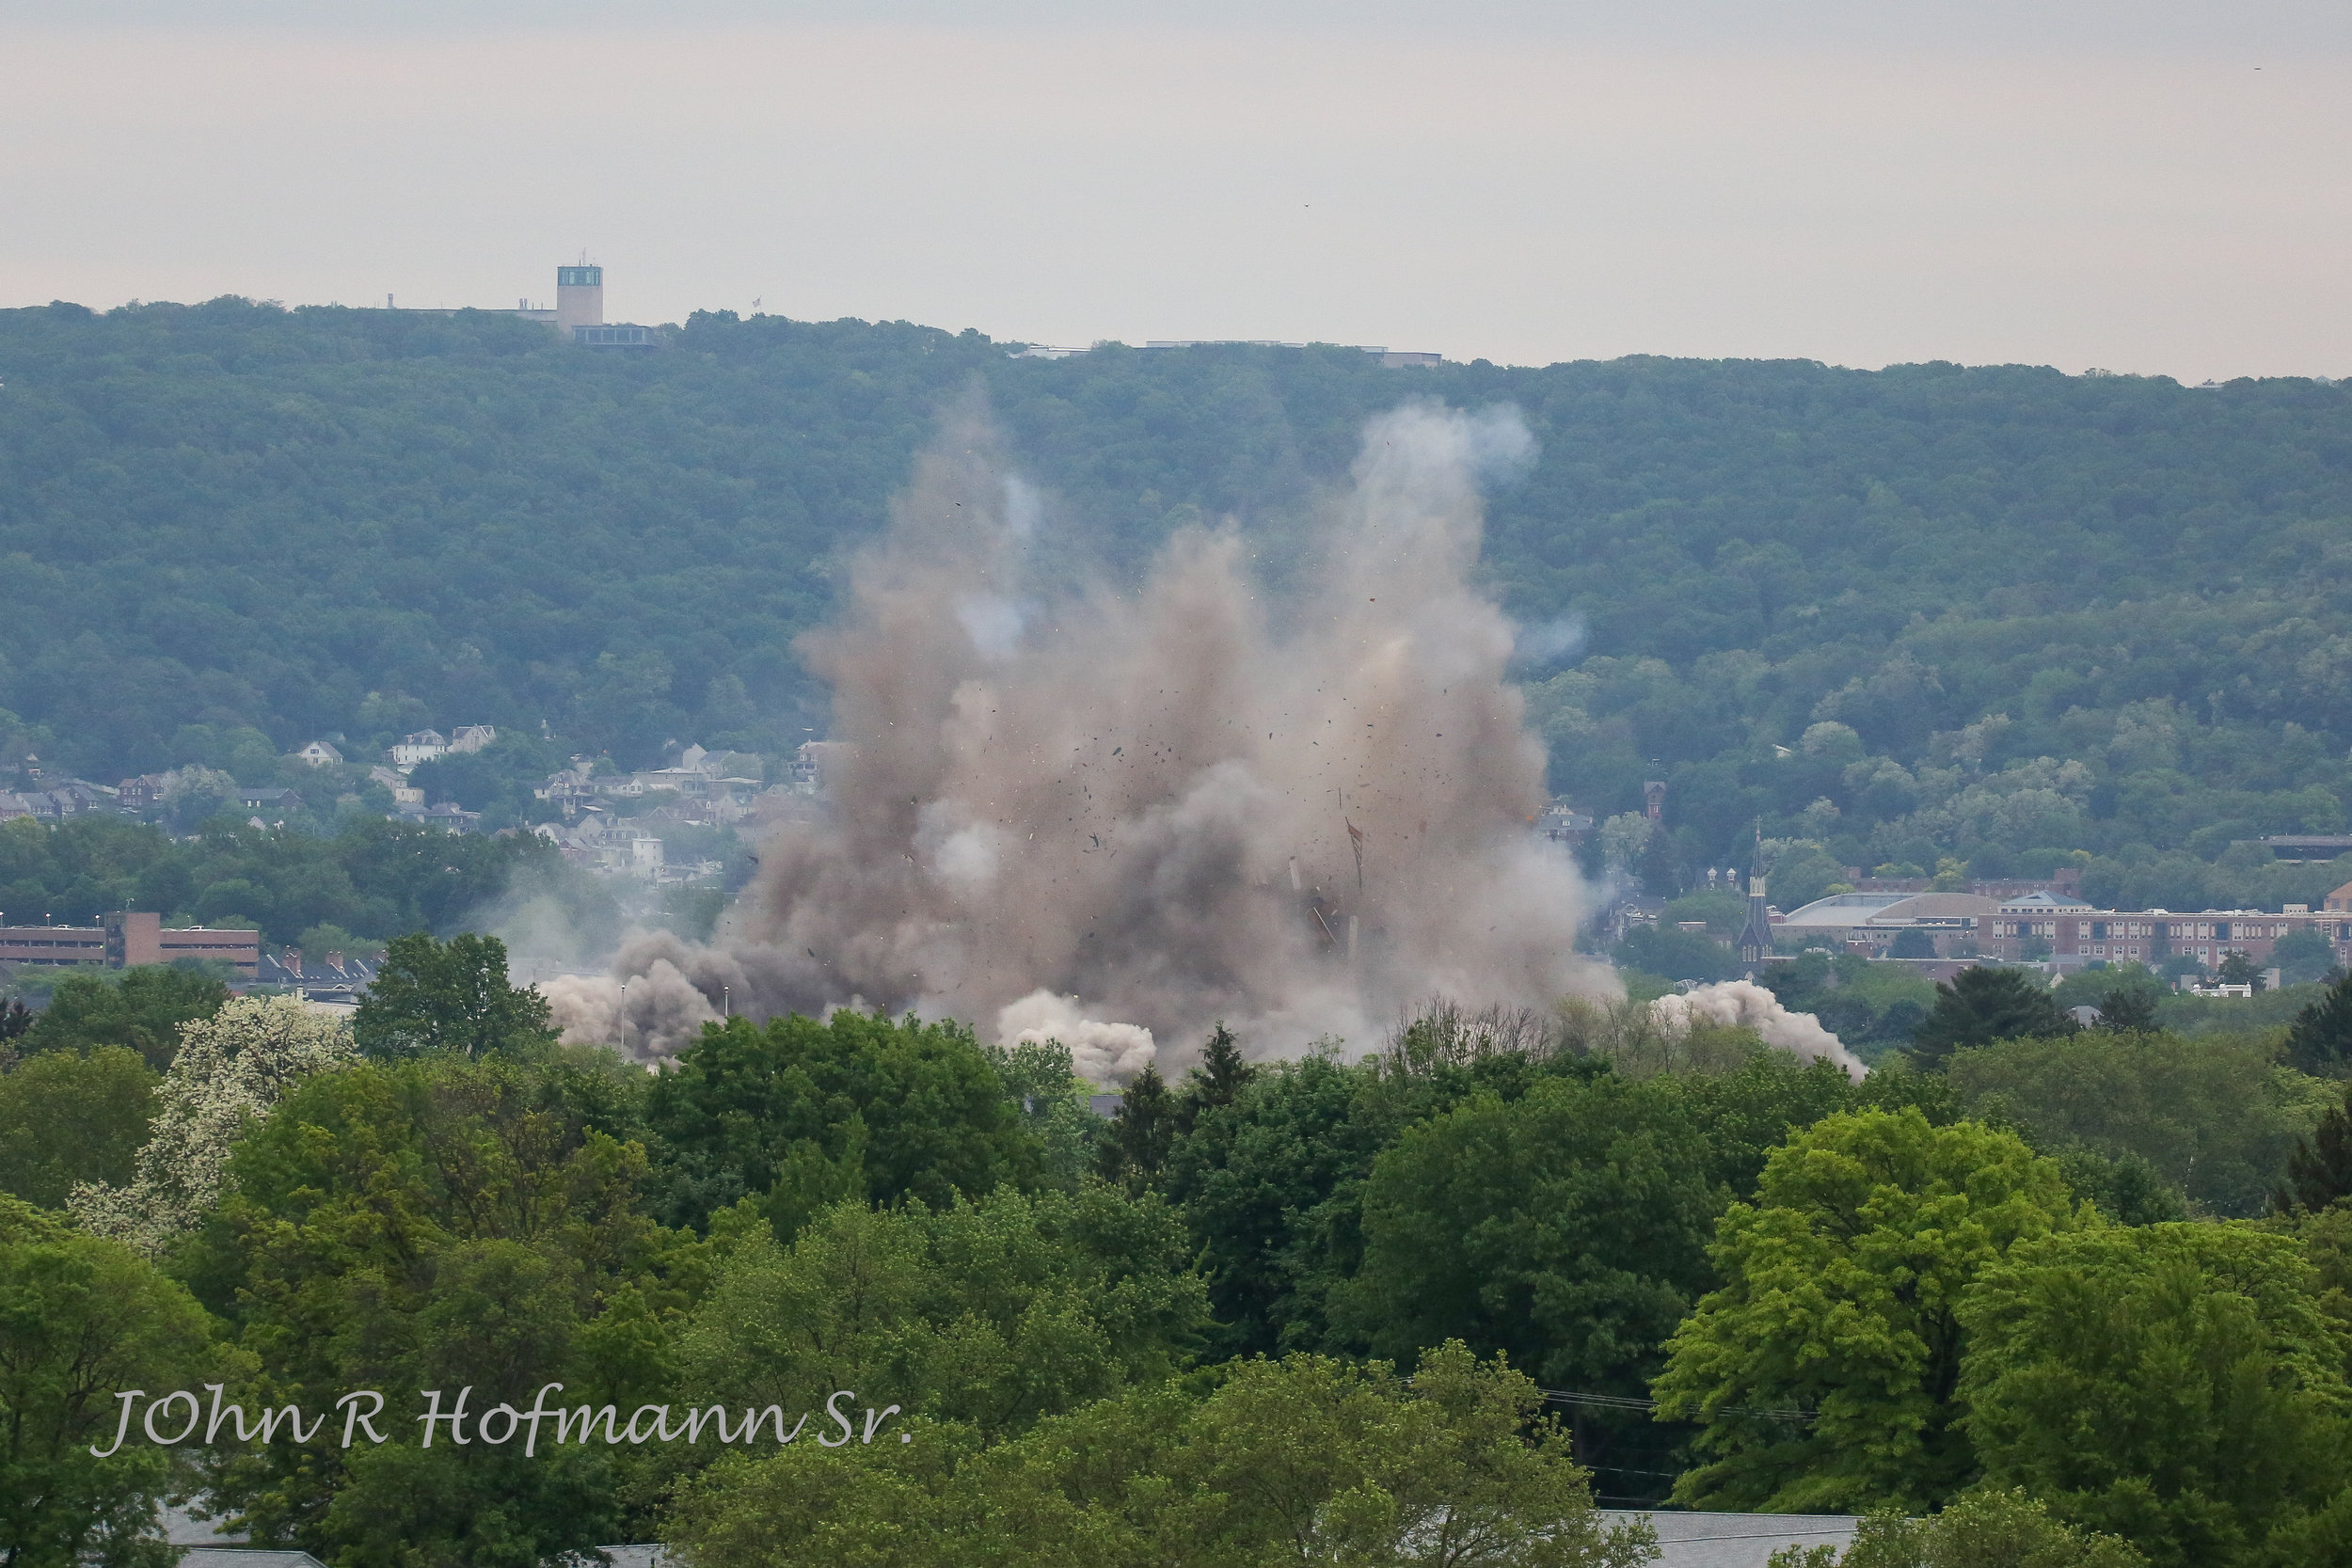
(83, 1320)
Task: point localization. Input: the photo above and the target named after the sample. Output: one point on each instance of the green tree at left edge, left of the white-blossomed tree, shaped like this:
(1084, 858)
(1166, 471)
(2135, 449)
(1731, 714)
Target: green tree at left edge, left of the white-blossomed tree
(69, 1118)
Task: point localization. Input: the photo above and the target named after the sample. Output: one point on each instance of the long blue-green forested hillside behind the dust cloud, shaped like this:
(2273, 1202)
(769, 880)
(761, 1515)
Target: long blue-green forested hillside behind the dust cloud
(361, 521)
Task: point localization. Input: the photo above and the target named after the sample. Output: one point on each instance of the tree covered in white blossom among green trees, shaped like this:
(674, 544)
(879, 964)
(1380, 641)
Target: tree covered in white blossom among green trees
(229, 1073)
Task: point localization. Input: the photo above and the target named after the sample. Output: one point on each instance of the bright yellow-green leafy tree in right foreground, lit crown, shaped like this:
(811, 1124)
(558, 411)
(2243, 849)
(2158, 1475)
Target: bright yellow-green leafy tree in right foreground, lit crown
(1826, 1367)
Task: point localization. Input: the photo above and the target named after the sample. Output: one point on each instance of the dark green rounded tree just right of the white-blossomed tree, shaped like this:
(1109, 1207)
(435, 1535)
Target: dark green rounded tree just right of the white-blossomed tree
(453, 998)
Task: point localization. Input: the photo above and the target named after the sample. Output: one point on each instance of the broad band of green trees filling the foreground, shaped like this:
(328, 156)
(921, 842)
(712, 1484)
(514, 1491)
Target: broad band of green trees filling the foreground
(1323, 1308)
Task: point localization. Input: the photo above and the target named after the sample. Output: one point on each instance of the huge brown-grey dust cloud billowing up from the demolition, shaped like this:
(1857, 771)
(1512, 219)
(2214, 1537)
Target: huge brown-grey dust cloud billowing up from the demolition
(1121, 817)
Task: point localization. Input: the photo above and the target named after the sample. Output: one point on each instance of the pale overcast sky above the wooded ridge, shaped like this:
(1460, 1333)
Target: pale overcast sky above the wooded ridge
(2125, 185)
